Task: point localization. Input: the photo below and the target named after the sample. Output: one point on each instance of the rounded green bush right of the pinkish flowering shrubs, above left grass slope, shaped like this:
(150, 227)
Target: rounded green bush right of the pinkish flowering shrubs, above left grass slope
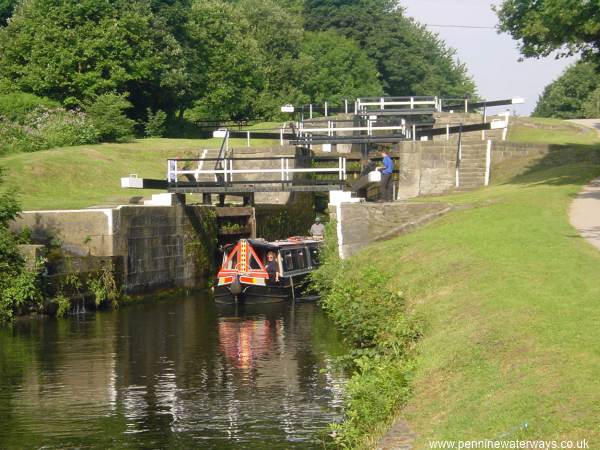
(107, 114)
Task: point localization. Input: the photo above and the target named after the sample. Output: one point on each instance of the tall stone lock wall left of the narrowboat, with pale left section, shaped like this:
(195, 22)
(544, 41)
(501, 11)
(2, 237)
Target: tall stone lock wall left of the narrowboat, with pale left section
(152, 246)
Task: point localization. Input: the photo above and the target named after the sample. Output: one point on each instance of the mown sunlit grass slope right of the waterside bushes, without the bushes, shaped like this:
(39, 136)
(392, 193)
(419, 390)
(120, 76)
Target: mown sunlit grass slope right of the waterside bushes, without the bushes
(509, 293)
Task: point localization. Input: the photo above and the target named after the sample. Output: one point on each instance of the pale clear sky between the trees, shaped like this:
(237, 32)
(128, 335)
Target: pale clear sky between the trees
(491, 58)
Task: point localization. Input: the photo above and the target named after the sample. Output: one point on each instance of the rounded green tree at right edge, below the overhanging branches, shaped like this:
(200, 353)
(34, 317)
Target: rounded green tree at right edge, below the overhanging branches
(567, 96)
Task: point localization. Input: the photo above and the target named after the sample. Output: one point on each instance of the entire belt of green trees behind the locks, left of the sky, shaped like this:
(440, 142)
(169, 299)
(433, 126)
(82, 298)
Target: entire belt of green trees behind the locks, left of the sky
(220, 59)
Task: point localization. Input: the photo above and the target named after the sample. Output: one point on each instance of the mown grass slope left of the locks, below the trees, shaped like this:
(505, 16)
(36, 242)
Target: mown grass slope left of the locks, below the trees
(89, 175)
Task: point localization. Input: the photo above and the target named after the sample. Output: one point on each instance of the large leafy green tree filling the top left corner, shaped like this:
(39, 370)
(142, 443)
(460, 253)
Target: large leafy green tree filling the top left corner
(74, 51)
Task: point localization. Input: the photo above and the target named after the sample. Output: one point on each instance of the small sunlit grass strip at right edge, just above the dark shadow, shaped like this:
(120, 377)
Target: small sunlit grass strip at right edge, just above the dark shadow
(550, 131)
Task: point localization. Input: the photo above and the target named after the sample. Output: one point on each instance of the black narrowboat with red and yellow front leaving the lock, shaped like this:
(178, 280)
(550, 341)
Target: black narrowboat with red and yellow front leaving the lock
(257, 271)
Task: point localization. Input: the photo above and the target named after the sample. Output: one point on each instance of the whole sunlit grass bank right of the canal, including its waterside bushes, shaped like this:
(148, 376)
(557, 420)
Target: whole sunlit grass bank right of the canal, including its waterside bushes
(504, 295)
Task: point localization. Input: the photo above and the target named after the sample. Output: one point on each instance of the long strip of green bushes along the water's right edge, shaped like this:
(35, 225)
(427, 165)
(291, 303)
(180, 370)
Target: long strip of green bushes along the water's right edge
(372, 318)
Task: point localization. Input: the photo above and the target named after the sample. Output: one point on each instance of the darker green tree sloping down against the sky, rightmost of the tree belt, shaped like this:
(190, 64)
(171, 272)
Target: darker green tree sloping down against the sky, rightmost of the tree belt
(410, 59)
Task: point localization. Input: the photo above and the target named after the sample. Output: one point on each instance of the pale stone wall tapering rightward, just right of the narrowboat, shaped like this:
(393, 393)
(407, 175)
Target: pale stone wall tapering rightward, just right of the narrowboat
(360, 224)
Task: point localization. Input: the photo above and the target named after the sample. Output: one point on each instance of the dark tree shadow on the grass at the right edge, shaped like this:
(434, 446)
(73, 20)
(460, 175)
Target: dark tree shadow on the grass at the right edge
(562, 165)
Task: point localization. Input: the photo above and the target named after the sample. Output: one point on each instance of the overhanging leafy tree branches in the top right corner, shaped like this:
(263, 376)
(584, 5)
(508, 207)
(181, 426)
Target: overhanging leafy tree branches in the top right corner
(544, 26)
